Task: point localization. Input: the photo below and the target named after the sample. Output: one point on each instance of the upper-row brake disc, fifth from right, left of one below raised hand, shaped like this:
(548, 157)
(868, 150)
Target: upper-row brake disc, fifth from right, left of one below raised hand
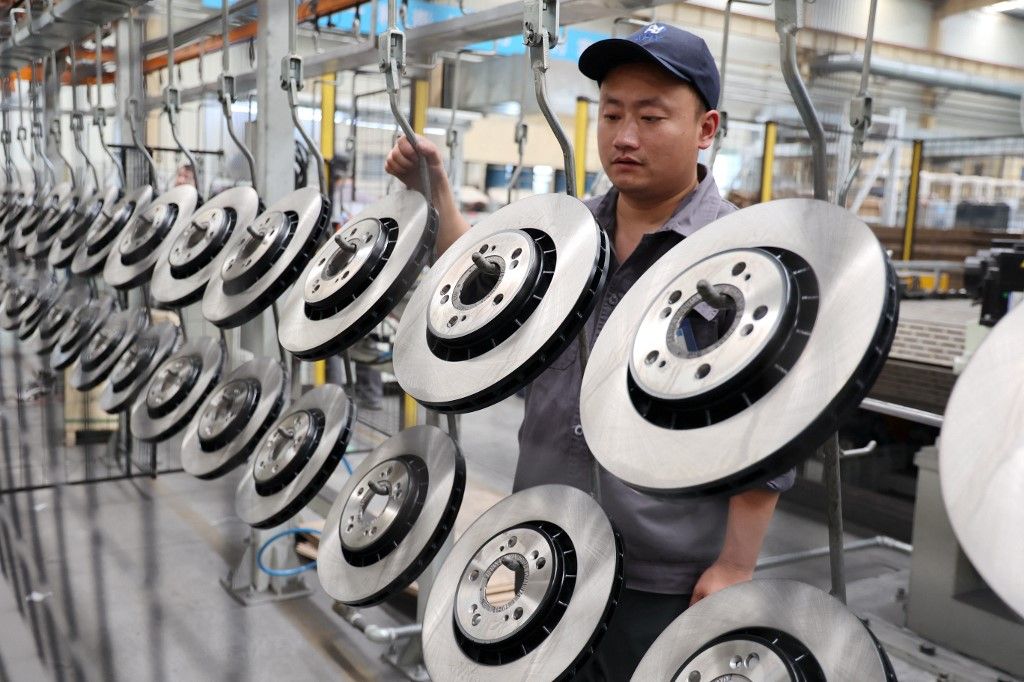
(267, 261)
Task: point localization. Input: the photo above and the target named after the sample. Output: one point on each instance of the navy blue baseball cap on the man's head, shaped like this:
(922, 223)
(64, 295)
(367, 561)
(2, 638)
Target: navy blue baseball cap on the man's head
(680, 53)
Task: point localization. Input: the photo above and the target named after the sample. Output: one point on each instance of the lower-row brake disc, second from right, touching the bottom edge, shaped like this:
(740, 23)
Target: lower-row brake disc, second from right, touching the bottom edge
(567, 562)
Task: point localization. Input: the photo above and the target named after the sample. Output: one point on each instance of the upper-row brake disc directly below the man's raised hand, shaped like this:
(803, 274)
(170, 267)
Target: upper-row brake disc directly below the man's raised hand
(357, 279)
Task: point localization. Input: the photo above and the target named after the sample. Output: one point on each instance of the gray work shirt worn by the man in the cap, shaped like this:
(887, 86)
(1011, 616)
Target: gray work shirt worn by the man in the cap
(669, 543)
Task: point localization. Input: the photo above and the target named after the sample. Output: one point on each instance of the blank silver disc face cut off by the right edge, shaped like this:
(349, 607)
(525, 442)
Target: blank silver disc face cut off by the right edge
(982, 459)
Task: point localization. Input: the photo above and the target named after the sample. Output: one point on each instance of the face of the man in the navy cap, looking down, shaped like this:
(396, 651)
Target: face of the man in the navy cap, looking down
(650, 130)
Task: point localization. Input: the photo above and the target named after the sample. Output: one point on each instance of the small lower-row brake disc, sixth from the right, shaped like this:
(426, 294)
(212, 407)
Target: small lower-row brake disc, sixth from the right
(177, 389)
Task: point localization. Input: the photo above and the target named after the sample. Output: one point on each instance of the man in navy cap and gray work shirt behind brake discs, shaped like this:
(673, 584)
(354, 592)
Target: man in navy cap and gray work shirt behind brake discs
(659, 93)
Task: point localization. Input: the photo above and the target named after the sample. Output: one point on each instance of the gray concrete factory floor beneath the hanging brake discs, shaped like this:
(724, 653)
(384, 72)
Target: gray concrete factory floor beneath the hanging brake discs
(135, 569)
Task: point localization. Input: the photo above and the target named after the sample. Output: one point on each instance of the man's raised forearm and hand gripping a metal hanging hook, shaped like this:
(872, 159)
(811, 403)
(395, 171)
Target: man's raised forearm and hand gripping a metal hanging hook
(403, 163)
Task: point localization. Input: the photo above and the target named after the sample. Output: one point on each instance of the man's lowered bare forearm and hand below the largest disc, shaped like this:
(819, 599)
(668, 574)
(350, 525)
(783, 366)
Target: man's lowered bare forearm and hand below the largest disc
(750, 515)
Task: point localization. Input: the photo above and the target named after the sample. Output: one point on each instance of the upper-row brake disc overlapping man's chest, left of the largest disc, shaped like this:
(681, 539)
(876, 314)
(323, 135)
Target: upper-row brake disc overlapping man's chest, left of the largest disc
(472, 337)
